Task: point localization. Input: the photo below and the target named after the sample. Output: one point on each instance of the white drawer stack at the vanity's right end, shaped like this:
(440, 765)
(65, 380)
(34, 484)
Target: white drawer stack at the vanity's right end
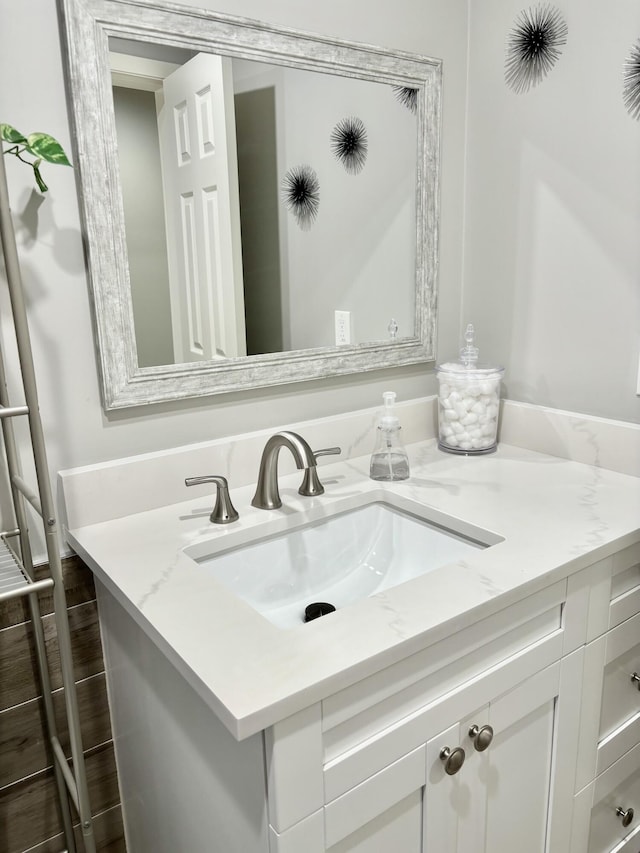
(606, 815)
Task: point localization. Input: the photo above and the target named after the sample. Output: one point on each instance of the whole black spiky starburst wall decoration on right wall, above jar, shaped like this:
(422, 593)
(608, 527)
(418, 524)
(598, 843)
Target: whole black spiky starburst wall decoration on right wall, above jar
(533, 46)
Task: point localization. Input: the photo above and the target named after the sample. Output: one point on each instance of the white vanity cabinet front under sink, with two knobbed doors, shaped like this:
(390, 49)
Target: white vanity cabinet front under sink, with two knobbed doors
(456, 748)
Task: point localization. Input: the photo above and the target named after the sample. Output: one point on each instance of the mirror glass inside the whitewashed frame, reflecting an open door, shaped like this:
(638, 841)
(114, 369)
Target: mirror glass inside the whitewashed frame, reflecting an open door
(213, 152)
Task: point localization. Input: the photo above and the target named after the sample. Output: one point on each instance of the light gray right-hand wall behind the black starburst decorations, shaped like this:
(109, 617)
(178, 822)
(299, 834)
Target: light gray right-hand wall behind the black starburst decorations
(552, 239)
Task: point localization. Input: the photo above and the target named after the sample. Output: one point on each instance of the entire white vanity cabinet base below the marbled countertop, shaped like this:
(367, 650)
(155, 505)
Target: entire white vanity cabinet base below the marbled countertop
(364, 769)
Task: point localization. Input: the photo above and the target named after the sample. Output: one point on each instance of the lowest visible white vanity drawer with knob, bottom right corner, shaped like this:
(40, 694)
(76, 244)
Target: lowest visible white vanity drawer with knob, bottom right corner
(617, 788)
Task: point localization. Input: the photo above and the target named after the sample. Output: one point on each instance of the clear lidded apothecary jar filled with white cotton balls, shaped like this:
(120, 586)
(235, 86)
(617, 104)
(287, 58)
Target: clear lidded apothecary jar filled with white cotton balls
(468, 402)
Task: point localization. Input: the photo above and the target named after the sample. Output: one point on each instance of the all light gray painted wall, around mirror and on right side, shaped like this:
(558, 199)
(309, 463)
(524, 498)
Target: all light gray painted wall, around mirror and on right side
(551, 257)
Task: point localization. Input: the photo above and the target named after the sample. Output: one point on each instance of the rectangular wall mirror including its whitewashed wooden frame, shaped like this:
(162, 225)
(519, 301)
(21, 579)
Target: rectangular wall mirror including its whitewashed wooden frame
(260, 205)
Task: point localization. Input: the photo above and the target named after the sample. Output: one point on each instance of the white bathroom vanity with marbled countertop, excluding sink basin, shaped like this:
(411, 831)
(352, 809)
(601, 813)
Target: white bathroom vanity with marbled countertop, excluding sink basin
(490, 704)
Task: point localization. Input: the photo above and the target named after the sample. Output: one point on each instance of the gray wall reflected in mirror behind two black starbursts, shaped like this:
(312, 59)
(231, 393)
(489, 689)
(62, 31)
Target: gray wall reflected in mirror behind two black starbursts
(357, 256)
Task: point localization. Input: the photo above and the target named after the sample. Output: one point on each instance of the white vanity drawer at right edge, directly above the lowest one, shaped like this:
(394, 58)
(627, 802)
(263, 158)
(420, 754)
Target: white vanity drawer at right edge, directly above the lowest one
(620, 694)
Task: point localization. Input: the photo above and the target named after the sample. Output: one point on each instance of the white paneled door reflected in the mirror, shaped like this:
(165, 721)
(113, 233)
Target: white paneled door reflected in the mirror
(199, 162)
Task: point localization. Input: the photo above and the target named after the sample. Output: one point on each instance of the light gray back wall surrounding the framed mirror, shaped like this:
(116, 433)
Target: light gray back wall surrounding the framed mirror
(50, 245)
